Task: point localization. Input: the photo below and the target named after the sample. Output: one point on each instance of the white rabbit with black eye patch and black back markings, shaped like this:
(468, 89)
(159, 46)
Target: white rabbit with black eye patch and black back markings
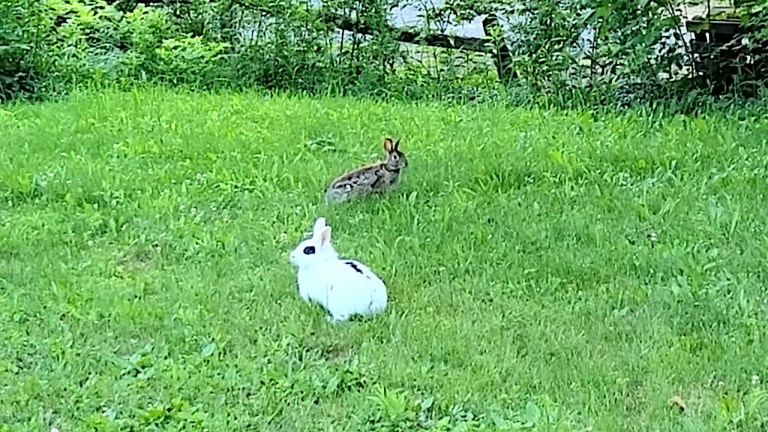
(343, 287)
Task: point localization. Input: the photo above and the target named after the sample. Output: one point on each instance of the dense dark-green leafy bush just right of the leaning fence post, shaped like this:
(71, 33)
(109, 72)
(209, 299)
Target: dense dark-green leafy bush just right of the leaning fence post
(554, 67)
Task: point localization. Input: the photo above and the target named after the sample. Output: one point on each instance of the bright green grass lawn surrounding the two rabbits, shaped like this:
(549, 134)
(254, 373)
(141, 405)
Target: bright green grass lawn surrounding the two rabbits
(553, 270)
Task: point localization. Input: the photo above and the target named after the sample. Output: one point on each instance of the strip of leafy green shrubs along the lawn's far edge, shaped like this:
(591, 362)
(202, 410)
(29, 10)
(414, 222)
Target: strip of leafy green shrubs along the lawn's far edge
(639, 53)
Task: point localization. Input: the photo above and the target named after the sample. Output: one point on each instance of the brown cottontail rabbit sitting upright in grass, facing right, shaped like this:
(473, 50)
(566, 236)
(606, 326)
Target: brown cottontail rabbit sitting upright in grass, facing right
(370, 179)
